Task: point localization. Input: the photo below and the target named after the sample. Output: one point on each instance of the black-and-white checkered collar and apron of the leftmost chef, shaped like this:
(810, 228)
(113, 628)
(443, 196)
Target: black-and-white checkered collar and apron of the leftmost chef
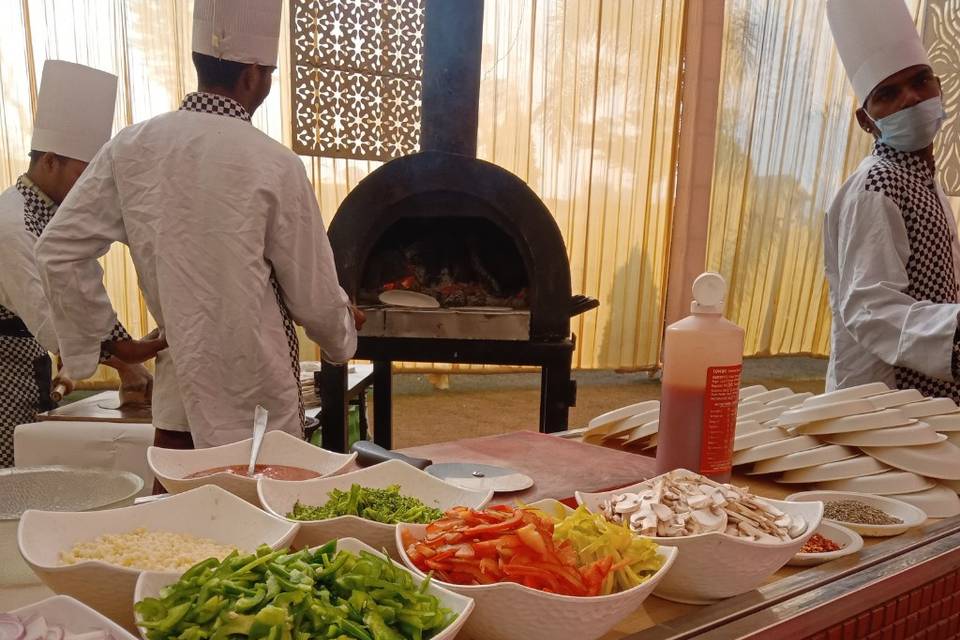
(24, 365)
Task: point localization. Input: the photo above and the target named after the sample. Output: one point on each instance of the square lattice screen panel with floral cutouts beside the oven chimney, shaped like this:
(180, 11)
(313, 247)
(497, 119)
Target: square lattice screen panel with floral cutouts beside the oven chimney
(357, 70)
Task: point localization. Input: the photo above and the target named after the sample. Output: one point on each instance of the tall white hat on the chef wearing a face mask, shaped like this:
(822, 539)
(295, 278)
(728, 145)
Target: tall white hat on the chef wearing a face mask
(876, 39)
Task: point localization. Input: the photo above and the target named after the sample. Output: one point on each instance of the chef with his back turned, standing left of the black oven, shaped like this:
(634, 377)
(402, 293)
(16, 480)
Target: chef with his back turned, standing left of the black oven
(226, 236)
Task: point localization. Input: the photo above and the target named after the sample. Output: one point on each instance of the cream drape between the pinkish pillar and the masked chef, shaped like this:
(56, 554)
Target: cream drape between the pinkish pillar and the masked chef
(786, 140)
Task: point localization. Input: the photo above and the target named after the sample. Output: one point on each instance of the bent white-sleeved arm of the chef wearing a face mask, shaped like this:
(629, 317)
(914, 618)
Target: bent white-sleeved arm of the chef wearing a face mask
(874, 306)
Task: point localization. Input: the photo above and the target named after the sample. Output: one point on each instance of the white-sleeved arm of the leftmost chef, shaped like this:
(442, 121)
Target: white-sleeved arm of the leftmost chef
(20, 283)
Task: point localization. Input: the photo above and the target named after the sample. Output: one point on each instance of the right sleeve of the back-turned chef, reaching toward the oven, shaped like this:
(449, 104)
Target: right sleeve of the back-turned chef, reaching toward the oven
(299, 251)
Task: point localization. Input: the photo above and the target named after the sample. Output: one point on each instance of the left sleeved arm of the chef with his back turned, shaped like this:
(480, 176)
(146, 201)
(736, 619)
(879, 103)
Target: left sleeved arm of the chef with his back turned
(85, 226)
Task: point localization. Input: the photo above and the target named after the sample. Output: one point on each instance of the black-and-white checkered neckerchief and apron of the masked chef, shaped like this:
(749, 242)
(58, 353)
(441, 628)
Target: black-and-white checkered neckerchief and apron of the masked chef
(906, 179)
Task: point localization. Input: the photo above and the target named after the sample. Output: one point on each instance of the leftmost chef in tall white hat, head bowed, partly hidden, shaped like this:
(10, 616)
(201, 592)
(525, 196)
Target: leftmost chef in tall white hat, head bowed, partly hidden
(74, 117)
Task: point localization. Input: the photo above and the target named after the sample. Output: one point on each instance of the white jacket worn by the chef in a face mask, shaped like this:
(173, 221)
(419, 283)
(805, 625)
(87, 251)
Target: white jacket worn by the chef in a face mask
(876, 326)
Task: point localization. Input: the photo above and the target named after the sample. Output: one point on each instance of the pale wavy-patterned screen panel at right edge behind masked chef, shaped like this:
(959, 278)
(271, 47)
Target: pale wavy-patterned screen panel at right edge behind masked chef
(941, 35)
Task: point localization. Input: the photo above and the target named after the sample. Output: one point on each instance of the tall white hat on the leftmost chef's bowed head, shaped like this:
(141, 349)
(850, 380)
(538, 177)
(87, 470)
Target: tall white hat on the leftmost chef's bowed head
(74, 110)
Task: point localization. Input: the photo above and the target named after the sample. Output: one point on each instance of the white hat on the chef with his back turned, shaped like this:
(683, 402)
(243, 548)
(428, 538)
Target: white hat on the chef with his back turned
(245, 31)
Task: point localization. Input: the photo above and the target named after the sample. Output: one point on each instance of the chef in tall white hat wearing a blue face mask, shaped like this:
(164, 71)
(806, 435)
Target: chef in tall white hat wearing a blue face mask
(890, 241)
